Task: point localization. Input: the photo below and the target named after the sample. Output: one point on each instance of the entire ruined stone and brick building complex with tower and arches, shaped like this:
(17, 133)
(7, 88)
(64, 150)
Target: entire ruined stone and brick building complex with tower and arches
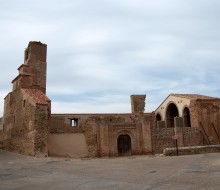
(30, 128)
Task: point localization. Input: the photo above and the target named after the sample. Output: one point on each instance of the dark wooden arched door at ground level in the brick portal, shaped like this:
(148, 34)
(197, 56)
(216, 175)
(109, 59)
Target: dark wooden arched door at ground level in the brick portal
(124, 145)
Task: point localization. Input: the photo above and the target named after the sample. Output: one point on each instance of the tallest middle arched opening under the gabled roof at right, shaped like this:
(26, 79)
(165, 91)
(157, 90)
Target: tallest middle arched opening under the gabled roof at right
(171, 113)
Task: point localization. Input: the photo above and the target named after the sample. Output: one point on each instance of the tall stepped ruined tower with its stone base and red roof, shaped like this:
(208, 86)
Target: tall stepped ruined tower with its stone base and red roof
(26, 108)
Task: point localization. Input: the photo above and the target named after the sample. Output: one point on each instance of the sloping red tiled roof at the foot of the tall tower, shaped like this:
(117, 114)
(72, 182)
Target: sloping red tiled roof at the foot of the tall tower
(37, 96)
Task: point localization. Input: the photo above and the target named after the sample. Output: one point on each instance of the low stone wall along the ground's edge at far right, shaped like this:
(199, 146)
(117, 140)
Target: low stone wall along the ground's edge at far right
(191, 150)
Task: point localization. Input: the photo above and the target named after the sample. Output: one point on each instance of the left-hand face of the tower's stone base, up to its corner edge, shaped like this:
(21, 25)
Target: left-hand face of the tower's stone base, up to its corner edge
(18, 126)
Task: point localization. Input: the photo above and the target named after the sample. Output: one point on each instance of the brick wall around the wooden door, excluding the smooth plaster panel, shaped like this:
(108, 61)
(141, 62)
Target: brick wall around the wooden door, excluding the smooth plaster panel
(102, 130)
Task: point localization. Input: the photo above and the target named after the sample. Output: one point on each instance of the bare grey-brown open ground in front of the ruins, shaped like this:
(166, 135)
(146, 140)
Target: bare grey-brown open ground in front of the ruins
(195, 172)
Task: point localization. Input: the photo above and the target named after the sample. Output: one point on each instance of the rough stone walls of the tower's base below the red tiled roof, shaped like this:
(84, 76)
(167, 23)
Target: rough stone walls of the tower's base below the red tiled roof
(25, 127)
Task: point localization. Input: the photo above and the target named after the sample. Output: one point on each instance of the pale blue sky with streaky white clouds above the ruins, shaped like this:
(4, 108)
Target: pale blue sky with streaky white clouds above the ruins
(102, 51)
